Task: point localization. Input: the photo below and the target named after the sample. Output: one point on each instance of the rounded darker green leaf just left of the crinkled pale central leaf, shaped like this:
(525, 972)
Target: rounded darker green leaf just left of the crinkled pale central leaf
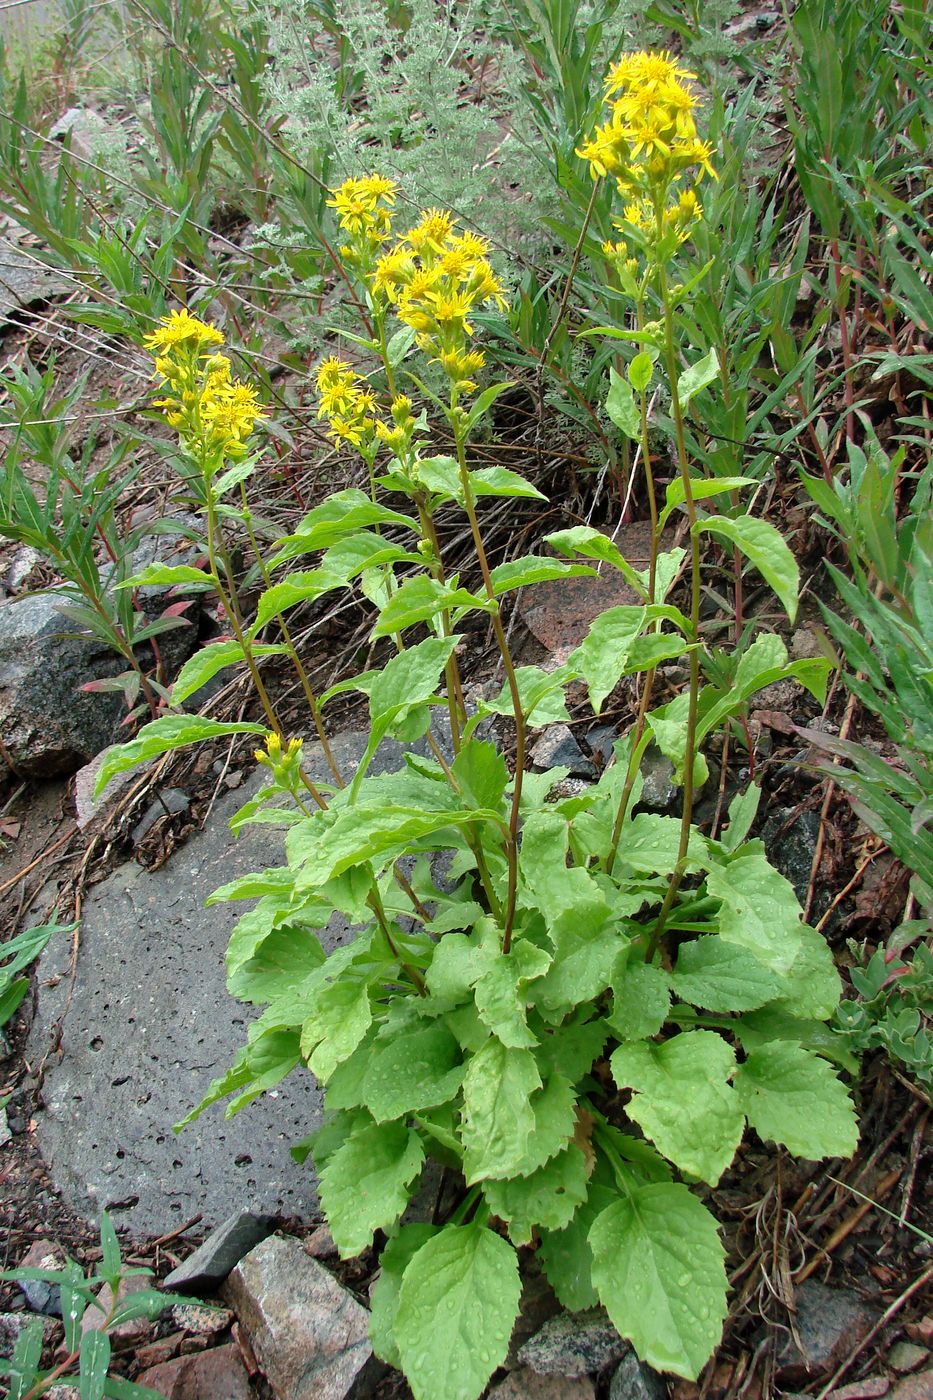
(413, 1072)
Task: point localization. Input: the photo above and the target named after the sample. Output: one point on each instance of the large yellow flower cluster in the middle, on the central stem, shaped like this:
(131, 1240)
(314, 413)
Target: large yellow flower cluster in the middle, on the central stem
(435, 278)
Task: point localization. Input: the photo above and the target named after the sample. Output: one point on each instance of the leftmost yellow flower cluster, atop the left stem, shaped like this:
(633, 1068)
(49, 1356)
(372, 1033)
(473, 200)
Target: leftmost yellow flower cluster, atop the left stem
(205, 404)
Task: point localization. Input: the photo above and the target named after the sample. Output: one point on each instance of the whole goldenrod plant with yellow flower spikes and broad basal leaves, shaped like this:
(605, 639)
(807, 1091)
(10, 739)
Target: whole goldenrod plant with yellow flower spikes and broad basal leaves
(575, 943)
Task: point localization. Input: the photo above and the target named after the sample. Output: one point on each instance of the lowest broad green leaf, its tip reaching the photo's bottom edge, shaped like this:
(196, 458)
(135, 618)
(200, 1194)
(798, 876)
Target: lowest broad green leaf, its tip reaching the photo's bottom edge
(456, 1311)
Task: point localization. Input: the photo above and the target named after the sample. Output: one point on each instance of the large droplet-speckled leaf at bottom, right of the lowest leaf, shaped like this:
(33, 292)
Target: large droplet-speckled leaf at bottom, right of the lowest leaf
(658, 1266)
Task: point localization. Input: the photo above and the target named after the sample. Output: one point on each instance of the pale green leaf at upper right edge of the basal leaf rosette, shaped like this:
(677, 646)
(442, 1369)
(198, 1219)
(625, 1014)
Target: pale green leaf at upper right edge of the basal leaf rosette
(760, 911)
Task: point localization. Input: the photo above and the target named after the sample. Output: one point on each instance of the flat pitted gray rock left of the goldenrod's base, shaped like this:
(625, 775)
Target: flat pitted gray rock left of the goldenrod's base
(151, 1024)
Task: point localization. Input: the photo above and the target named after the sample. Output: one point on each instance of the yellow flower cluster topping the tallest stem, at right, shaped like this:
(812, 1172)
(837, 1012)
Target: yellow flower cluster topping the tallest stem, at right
(648, 146)
